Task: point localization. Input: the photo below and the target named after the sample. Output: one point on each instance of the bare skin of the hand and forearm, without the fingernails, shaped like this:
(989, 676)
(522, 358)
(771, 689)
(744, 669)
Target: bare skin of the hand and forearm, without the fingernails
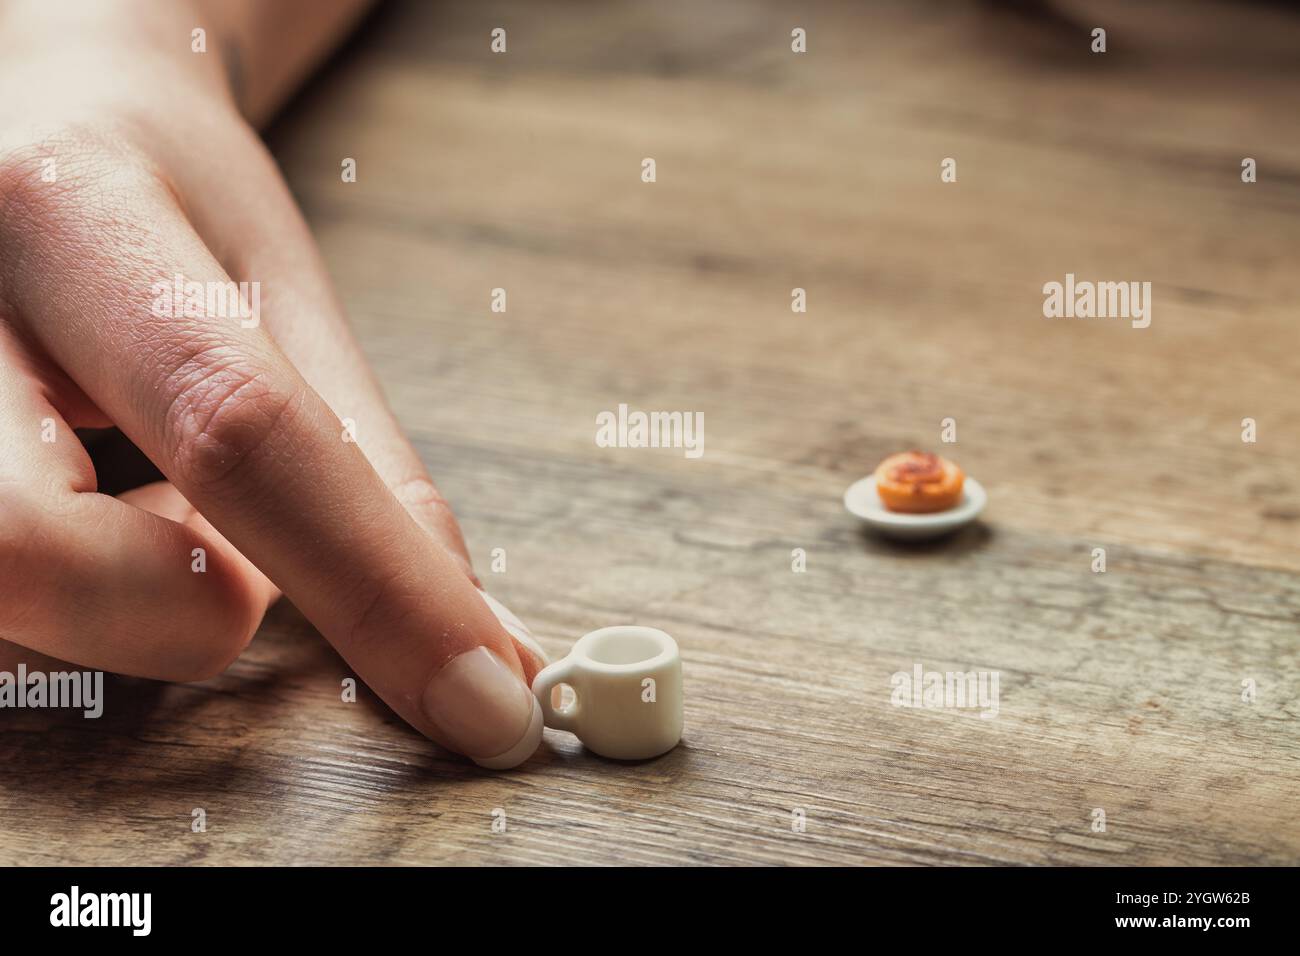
(159, 172)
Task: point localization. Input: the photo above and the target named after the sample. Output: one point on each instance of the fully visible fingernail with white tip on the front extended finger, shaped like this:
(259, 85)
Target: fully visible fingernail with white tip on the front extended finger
(484, 711)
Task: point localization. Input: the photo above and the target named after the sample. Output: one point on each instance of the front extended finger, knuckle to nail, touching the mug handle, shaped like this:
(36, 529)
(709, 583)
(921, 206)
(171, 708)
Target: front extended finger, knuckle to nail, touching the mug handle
(211, 400)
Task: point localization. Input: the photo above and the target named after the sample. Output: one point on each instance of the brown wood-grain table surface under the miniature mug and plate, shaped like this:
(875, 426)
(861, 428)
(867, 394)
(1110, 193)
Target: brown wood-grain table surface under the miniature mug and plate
(1119, 691)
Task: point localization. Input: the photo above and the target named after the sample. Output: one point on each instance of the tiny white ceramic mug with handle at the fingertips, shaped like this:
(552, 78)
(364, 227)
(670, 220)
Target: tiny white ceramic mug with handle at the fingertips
(627, 693)
